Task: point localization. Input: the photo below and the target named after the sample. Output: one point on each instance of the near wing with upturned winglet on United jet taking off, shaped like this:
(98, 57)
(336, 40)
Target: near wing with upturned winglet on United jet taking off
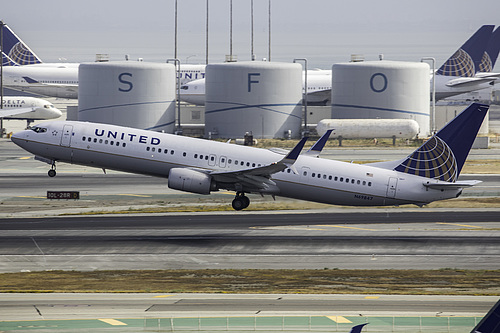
(259, 179)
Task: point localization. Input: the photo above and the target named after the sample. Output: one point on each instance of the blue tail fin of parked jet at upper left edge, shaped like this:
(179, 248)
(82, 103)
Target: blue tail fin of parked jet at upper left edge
(15, 51)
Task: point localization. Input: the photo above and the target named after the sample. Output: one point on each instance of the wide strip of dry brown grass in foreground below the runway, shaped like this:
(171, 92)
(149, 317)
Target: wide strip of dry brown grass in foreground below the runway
(321, 281)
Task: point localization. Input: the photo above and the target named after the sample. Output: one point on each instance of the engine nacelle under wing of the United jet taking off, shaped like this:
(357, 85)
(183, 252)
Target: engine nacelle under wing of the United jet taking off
(190, 181)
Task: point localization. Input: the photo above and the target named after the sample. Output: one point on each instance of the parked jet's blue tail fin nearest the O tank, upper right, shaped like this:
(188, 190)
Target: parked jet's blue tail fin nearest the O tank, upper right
(465, 61)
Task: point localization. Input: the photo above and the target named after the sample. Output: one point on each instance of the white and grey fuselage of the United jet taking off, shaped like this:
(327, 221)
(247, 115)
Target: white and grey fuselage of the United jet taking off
(155, 154)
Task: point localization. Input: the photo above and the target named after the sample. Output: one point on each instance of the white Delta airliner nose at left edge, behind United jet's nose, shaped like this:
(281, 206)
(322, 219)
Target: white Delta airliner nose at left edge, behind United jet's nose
(28, 108)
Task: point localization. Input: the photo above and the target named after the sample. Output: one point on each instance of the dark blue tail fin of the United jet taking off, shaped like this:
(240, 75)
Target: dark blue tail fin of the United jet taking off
(443, 155)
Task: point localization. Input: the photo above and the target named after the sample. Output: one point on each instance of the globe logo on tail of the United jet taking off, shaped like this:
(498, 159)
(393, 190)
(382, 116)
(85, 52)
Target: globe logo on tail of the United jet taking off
(434, 159)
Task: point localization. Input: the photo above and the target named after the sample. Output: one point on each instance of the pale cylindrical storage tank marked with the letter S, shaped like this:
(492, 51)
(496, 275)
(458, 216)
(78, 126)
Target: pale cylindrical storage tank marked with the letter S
(134, 94)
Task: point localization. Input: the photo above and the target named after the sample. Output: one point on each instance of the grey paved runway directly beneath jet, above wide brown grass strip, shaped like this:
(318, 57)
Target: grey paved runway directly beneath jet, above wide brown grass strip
(408, 239)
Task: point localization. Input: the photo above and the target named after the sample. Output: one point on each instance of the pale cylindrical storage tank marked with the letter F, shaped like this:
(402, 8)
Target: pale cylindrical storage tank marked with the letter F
(259, 97)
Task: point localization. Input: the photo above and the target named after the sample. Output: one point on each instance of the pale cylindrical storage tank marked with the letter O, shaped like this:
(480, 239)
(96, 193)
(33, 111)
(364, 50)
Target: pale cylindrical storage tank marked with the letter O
(382, 90)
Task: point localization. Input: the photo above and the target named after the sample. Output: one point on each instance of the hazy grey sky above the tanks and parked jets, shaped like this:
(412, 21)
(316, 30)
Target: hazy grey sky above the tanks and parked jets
(323, 31)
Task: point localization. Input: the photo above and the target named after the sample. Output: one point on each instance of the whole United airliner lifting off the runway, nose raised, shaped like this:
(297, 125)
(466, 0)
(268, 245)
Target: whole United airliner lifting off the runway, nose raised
(201, 166)
